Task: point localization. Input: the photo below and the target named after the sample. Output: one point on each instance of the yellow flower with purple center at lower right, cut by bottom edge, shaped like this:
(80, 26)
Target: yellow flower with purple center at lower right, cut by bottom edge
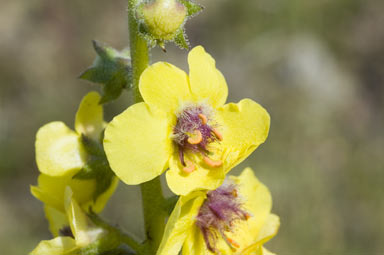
(233, 219)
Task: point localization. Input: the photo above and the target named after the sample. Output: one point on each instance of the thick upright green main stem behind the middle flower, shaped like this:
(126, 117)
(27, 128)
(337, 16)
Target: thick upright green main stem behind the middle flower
(152, 195)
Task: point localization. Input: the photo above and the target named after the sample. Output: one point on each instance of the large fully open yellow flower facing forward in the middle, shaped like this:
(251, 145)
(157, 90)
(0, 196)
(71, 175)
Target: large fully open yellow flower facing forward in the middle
(184, 125)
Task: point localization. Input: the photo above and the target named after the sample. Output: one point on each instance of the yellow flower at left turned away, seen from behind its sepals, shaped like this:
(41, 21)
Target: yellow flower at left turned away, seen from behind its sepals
(60, 155)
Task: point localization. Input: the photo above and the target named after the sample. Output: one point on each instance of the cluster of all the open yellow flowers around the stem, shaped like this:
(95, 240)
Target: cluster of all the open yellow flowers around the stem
(183, 127)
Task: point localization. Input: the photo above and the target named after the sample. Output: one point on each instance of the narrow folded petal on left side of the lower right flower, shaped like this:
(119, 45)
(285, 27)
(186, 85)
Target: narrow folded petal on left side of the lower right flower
(180, 222)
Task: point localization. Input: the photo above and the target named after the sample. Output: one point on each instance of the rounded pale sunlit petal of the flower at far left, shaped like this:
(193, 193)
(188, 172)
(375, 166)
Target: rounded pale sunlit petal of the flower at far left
(58, 150)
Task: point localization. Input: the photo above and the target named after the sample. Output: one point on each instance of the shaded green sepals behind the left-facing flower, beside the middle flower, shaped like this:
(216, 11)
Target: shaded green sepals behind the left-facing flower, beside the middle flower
(96, 167)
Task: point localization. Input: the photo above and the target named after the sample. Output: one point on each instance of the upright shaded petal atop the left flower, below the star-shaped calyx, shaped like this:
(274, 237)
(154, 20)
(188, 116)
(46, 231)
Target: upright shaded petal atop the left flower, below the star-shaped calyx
(89, 116)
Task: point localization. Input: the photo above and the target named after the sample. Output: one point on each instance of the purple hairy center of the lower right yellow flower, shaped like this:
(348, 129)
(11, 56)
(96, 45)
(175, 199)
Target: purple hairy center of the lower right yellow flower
(218, 214)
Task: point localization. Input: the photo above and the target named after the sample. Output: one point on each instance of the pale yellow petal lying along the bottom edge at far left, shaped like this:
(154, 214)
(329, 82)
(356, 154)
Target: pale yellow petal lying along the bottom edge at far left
(58, 246)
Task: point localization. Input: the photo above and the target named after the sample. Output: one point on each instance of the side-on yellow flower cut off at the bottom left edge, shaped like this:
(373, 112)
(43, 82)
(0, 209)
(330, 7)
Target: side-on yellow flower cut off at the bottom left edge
(79, 231)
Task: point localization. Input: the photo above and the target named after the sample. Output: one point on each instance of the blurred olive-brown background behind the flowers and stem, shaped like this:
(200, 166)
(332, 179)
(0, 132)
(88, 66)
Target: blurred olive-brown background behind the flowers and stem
(316, 66)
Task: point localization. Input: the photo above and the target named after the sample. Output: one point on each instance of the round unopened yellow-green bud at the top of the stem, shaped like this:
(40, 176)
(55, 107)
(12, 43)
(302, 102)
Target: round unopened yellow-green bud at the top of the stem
(163, 18)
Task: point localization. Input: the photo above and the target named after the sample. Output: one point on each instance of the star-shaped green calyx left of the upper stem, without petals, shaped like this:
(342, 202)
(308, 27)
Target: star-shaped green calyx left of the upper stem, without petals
(112, 69)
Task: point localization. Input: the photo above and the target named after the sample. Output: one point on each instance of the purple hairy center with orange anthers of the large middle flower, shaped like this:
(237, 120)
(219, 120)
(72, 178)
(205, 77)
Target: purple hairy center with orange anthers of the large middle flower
(194, 131)
